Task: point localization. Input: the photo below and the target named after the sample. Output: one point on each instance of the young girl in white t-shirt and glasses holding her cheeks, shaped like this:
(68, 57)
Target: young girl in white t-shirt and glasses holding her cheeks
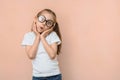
(42, 46)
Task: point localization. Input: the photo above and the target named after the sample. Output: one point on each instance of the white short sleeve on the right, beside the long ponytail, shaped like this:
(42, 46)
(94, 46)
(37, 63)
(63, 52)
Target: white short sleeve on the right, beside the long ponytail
(54, 38)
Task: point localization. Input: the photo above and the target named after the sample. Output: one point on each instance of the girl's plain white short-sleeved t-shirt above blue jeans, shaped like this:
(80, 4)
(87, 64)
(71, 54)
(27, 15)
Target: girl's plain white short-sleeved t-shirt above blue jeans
(43, 66)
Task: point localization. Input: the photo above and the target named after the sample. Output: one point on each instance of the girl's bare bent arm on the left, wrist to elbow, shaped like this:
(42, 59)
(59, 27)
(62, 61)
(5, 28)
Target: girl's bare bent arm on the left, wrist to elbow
(31, 50)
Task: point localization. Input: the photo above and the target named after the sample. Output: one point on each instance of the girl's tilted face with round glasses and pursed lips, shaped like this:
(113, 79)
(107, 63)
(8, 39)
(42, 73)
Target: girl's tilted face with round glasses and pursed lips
(44, 22)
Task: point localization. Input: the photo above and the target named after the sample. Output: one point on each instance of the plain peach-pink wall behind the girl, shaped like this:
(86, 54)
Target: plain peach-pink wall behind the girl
(90, 31)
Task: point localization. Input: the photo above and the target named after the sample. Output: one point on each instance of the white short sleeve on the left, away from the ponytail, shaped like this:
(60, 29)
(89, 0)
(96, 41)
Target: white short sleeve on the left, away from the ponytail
(28, 39)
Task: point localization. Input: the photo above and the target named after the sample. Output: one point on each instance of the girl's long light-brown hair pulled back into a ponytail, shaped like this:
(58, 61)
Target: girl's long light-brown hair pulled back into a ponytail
(56, 27)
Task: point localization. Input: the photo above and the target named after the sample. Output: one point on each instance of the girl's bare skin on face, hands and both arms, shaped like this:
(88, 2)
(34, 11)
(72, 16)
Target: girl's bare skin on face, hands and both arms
(41, 31)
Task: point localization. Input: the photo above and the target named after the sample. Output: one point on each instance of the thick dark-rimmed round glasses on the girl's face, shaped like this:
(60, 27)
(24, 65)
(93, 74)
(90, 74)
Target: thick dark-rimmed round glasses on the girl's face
(48, 23)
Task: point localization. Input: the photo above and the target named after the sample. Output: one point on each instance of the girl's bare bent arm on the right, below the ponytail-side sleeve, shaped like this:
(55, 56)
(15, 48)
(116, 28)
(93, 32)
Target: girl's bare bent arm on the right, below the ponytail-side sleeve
(51, 49)
